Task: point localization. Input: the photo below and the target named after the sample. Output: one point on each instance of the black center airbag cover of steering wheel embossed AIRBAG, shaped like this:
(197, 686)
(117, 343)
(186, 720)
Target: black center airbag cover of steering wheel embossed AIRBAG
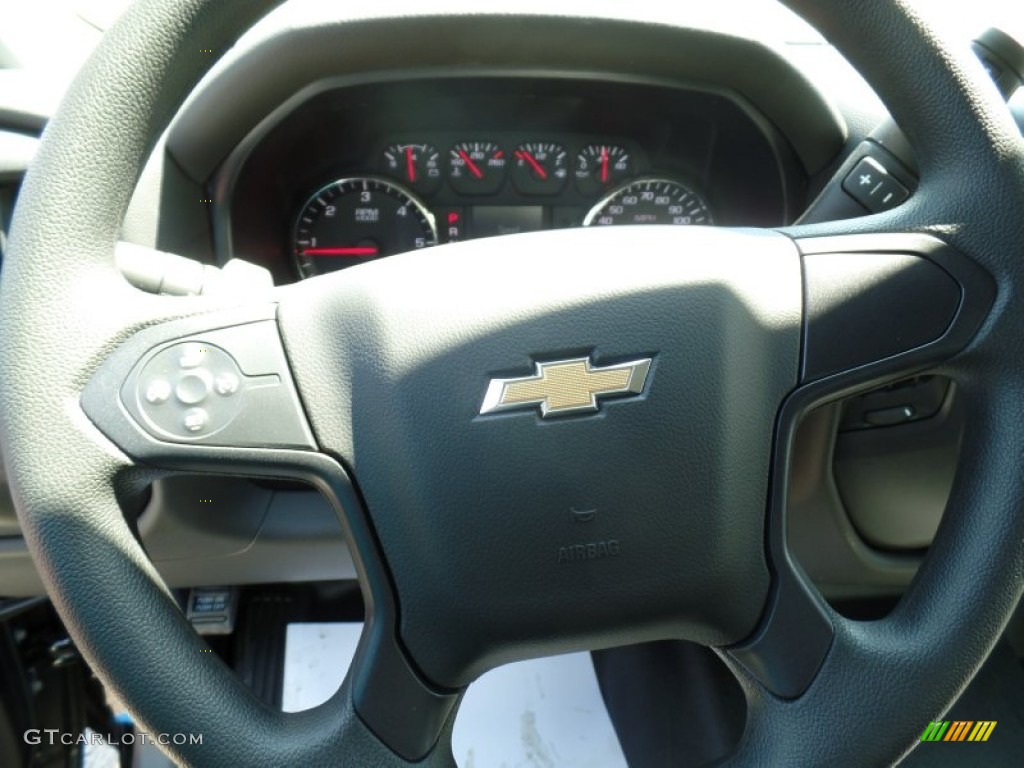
(394, 362)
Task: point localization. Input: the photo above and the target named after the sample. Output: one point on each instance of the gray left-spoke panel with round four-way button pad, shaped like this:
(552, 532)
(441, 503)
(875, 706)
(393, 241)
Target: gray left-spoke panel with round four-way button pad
(226, 388)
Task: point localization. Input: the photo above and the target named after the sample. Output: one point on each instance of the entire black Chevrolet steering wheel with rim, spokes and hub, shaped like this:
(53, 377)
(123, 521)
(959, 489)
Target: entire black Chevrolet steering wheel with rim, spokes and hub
(458, 412)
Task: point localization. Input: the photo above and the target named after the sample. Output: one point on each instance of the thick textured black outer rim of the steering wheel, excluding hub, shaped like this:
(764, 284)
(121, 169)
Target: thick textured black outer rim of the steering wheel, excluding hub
(129, 628)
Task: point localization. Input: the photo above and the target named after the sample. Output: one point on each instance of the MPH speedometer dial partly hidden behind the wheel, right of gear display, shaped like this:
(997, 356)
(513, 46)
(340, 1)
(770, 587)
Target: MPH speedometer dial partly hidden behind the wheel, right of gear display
(652, 201)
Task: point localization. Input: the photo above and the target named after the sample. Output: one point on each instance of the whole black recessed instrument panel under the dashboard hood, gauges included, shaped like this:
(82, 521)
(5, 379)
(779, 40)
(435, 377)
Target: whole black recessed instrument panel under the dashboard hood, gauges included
(358, 173)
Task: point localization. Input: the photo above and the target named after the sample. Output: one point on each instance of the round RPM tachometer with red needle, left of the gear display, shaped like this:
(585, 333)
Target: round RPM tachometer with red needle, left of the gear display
(357, 220)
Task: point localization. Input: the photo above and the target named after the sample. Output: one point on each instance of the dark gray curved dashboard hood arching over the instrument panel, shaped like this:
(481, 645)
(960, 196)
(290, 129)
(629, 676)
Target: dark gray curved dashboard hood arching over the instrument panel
(227, 107)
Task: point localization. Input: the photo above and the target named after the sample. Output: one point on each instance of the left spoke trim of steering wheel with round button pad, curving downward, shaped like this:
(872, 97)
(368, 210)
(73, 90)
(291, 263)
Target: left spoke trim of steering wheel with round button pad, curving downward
(214, 393)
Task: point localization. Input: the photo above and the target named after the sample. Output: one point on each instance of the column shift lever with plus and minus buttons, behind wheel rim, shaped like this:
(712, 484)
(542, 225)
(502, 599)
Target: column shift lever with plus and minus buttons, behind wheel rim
(883, 172)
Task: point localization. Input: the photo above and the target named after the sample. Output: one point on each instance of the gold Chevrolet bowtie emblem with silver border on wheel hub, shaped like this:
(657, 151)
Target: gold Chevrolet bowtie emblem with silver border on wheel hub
(567, 388)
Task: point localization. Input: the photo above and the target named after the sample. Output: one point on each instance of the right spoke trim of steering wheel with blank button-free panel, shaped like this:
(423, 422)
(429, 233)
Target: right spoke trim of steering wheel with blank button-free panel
(878, 308)
